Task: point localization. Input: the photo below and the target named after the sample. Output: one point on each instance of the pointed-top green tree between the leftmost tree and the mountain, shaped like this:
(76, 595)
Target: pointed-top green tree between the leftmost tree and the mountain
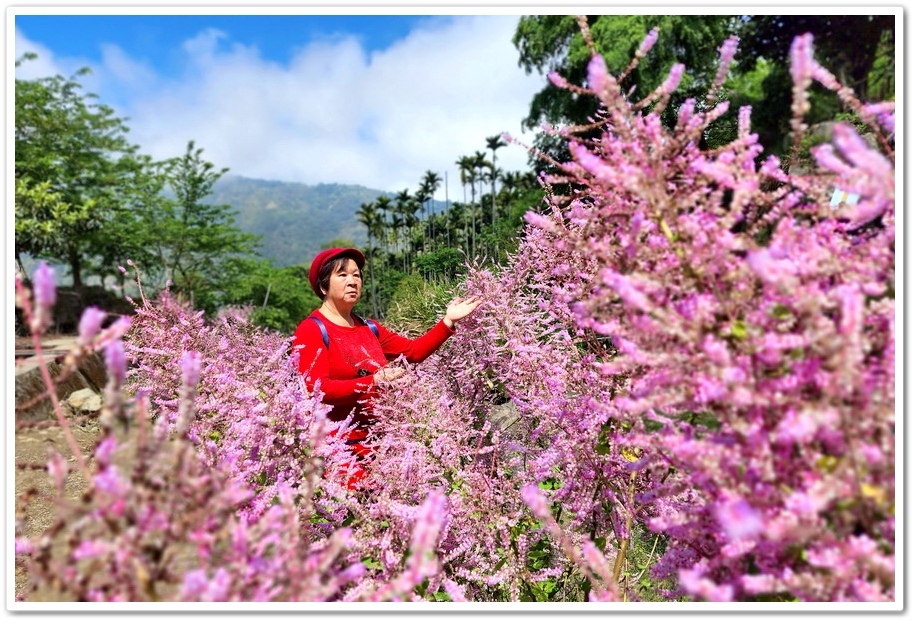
(197, 239)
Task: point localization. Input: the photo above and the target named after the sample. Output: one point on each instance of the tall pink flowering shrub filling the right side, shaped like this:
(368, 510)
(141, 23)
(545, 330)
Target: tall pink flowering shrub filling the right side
(753, 327)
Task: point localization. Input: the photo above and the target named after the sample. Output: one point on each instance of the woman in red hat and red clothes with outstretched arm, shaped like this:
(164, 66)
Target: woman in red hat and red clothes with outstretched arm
(346, 357)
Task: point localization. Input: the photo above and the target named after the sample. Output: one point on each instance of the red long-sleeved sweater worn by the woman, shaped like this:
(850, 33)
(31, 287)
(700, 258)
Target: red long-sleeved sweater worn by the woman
(343, 371)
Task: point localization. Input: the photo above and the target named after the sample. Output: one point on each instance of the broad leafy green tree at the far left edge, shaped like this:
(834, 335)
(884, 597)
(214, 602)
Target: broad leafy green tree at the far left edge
(73, 169)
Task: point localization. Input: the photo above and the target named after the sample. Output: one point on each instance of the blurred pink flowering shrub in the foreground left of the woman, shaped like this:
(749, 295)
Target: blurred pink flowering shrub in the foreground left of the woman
(188, 500)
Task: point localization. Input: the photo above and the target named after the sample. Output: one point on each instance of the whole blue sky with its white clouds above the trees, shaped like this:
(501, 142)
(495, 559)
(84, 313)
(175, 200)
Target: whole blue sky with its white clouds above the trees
(375, 100)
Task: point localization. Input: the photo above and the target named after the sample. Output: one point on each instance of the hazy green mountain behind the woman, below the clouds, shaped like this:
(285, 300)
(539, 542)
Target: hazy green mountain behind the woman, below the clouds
(294, 220)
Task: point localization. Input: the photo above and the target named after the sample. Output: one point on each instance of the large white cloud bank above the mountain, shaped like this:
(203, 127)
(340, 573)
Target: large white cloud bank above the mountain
(336, 114)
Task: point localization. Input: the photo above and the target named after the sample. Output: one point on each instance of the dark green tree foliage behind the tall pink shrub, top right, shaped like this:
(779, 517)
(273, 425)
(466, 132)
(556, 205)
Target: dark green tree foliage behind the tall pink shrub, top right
(554, 43)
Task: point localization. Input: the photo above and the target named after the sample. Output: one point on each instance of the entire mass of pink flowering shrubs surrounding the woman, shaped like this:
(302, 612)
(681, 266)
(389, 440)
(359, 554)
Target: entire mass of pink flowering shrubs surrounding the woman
(690, 348)
